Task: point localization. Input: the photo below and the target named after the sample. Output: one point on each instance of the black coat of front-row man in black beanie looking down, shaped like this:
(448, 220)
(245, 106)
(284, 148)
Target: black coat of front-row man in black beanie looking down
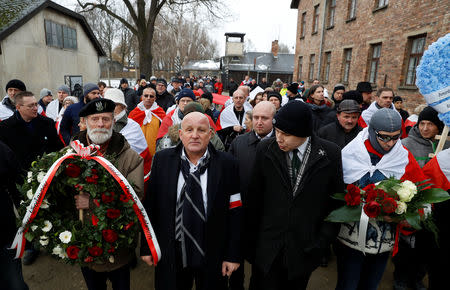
(288, 225)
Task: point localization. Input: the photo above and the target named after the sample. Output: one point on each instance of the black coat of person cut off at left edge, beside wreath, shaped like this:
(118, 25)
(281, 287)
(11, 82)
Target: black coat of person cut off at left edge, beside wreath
(9, 176)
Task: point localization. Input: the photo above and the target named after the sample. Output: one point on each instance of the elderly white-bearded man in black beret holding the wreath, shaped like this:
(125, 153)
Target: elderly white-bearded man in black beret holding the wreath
(98, 117)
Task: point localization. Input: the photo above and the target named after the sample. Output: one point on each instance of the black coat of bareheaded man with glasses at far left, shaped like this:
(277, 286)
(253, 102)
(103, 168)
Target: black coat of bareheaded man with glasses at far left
(29, 140)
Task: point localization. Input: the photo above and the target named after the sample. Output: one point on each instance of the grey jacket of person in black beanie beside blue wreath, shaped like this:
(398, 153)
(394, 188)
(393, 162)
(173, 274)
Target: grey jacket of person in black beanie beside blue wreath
(420, 147)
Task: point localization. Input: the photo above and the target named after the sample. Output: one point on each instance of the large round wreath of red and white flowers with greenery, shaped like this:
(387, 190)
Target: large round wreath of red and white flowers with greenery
(56, 227)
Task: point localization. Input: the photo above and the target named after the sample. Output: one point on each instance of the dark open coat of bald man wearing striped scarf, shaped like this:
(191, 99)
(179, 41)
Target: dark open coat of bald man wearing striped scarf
(223, 227)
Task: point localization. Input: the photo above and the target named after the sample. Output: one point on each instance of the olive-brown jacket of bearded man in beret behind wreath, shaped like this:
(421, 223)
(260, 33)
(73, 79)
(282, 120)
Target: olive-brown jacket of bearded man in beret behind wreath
(131, 165)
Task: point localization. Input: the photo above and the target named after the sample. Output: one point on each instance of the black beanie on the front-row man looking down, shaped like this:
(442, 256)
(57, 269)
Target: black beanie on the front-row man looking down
(294, 118)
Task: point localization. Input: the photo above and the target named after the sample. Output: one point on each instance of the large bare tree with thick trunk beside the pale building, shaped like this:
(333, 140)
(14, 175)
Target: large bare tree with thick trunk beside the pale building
(143, 15)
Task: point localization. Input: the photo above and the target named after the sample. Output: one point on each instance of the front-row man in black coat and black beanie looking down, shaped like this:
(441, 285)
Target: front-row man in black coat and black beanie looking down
(288, 199)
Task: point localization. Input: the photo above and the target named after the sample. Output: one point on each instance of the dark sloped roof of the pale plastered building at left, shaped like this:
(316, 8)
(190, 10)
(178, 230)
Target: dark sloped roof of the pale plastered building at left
(15, 13)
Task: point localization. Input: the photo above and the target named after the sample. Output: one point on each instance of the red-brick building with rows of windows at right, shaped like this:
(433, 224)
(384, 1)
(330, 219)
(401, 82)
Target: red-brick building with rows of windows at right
(381, 41)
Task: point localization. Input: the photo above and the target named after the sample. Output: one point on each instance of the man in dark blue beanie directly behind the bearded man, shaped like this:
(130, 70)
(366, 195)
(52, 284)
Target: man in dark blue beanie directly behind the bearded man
(70, 120)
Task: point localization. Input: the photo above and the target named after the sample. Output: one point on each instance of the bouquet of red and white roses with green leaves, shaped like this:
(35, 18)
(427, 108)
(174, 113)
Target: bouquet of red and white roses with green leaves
(397, 199)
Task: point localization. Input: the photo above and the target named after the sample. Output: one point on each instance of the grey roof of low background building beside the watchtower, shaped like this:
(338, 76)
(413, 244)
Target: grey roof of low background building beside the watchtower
(283, 63)
